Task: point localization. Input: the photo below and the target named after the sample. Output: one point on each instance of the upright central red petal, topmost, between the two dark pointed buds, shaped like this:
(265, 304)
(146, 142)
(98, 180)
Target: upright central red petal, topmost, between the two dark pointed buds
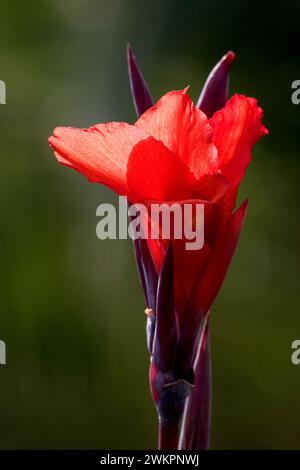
(184, 129)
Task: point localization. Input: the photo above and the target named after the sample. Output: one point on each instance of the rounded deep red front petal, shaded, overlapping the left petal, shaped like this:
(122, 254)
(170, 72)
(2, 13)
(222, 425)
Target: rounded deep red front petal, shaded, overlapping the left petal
(155, 173)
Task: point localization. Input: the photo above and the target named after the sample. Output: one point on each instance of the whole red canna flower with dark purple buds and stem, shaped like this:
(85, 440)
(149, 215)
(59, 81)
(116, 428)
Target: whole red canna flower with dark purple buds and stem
(176, 152)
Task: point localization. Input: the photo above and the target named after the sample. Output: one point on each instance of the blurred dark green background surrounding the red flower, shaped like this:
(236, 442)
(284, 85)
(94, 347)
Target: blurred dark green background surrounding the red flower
(71, 305)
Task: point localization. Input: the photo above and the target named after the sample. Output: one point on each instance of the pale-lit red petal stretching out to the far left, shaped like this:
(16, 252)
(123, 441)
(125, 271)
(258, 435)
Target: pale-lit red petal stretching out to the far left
(100, 152)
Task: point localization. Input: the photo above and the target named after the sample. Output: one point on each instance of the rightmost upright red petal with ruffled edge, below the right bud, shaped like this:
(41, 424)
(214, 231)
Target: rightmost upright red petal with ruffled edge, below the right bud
(236, 129)
